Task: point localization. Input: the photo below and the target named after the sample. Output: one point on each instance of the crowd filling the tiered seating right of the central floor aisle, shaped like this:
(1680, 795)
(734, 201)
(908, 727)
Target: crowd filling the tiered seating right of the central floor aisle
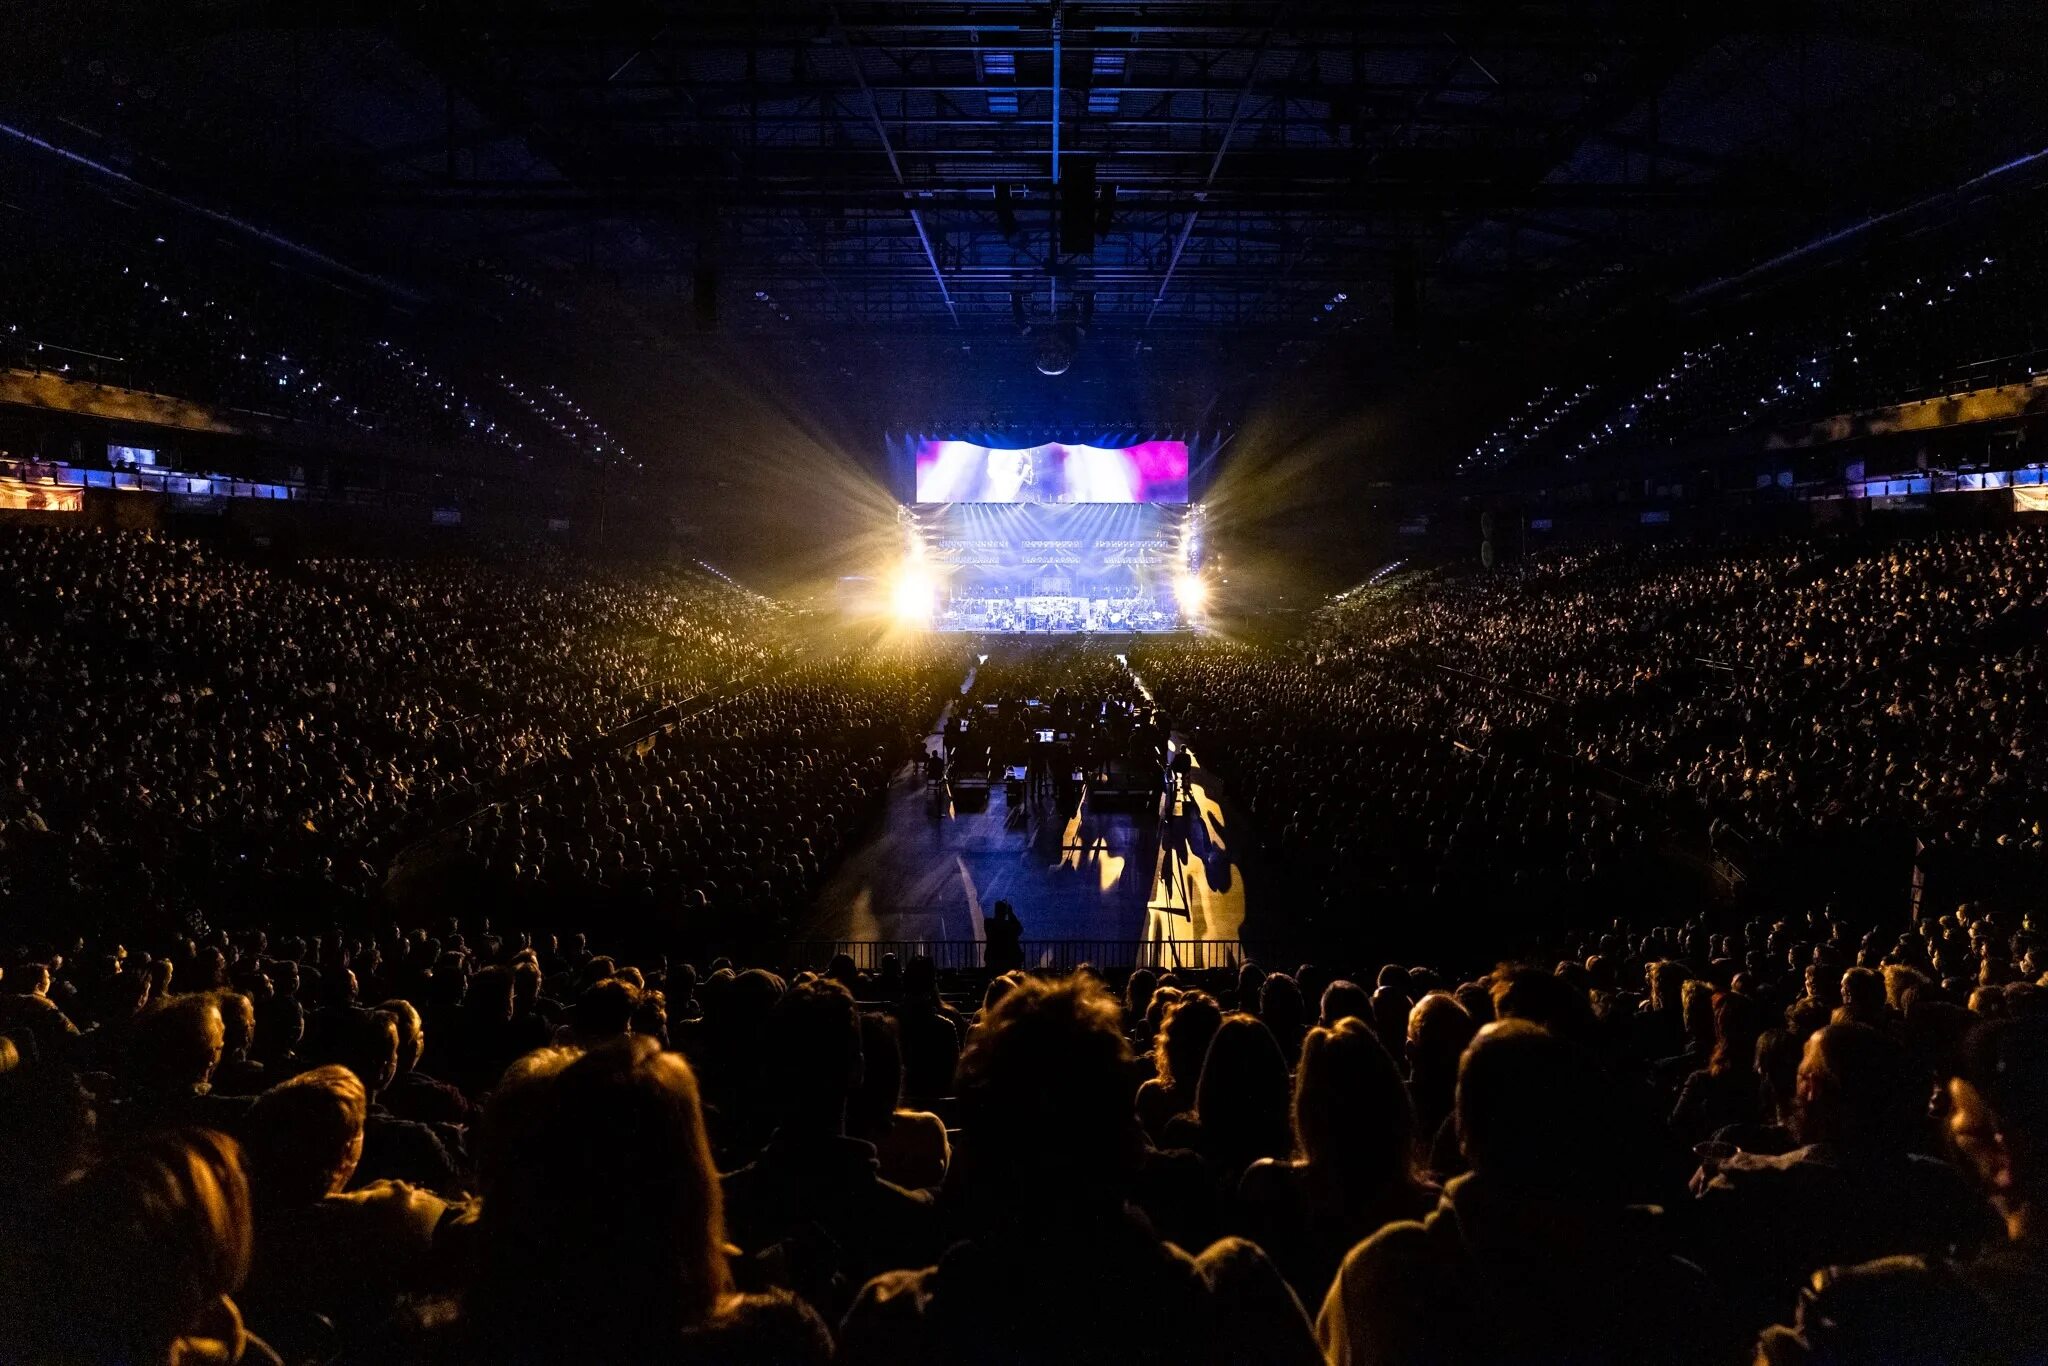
(1539, 726)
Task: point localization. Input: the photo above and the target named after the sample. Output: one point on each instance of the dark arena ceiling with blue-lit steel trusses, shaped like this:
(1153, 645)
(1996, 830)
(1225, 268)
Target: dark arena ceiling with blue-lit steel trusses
(1271, 183)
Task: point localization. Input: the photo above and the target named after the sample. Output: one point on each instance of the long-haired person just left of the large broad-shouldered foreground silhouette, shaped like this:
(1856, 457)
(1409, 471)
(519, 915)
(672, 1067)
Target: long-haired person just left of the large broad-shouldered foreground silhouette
(1355, 1166)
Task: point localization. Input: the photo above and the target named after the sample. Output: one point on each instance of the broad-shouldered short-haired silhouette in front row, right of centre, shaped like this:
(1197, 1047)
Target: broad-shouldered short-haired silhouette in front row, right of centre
(1527, 1258)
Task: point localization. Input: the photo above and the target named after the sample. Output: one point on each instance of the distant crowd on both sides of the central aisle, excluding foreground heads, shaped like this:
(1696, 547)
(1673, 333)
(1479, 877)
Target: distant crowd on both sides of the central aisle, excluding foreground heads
(198, 722)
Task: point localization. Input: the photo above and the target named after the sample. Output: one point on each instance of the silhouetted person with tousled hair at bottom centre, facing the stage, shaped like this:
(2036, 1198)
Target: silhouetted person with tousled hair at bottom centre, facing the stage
(1054, 1267)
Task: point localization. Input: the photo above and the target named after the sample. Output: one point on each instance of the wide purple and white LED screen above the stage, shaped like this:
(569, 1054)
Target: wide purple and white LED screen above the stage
(964, 472)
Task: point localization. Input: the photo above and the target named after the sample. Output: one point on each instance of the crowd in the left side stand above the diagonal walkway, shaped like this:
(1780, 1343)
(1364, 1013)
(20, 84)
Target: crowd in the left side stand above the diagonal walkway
(189, 724)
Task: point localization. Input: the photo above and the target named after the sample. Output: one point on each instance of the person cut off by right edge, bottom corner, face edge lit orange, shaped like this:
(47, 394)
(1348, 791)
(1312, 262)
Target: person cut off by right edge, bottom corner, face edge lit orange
(1936, 1312)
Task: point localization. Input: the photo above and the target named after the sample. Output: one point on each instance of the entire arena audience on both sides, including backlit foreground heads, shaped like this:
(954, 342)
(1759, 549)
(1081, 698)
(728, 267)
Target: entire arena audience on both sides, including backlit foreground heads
(1570, 1119)
